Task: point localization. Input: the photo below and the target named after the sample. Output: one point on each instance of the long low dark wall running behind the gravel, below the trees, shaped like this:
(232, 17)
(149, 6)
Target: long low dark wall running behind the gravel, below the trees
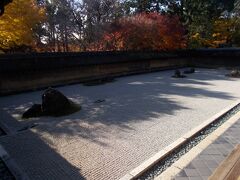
(29, 72)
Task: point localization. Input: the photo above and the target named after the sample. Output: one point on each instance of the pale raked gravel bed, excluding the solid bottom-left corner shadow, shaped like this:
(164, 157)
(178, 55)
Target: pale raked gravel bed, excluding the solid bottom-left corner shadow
(141, 115)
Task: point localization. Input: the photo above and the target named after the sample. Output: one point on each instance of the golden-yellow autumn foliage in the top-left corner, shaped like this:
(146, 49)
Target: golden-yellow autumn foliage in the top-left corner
(18, 22)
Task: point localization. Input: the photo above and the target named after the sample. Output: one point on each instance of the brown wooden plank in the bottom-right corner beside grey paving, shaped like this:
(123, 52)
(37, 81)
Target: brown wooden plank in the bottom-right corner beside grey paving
(226, 167)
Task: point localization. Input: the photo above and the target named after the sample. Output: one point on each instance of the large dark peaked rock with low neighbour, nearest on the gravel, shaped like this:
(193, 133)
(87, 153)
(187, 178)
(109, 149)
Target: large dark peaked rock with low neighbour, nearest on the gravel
(54, 103)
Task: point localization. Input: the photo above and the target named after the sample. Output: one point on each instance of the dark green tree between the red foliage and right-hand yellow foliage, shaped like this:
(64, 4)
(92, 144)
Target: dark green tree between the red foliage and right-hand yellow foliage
(199, 16)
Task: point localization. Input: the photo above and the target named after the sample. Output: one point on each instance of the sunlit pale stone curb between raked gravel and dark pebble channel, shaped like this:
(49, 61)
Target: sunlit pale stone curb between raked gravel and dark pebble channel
(146, 165)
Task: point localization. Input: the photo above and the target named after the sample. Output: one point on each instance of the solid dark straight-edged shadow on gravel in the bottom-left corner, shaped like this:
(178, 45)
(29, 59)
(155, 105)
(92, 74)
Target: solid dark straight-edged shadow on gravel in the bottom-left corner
(33, 156)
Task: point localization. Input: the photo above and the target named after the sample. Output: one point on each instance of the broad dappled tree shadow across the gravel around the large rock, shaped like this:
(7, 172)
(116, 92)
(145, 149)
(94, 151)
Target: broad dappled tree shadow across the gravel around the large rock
(121, 104)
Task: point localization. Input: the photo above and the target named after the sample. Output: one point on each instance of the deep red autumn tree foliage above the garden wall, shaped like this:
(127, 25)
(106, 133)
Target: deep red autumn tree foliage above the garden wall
(146, 31)
